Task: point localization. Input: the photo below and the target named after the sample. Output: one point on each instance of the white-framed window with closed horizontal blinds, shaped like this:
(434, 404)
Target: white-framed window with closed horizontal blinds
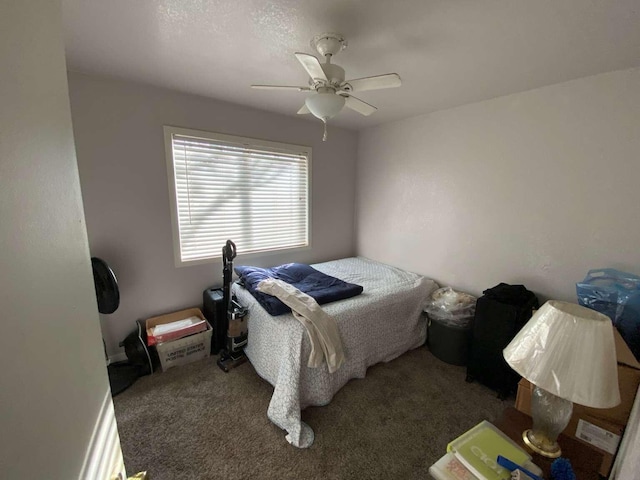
(222, 187)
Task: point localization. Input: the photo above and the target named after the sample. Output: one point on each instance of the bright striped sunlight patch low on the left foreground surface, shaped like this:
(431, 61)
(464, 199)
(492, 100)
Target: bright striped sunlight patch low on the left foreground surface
(103, 460)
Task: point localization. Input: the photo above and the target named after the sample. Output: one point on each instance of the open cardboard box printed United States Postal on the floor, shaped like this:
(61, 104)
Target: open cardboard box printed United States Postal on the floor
(184, 350)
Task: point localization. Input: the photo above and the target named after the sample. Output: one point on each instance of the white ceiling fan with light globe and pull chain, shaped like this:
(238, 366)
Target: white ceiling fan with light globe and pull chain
(332, 91)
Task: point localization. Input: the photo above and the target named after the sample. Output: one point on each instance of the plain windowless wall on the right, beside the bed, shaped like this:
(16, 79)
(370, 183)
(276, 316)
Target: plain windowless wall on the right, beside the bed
(534, 188)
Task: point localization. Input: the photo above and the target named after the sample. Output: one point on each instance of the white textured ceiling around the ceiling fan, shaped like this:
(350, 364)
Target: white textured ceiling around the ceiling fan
(448, 52)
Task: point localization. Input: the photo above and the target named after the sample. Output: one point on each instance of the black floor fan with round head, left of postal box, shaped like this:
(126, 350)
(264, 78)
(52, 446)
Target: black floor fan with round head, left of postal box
(121, 374)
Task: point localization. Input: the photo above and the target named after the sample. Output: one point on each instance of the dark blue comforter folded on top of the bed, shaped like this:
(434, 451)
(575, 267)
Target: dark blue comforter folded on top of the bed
(323, 288)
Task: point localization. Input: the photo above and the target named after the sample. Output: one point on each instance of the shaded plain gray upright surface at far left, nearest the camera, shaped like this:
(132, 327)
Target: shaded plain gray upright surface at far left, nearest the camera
(53, 370)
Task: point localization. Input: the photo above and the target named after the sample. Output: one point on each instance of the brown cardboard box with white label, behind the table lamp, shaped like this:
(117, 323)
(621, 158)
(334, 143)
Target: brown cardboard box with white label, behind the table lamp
(611, 420)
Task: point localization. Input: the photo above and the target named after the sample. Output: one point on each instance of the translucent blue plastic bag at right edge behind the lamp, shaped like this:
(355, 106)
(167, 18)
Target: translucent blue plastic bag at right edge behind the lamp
(617, 295)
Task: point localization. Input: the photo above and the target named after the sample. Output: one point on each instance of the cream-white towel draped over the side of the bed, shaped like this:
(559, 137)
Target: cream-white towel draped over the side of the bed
(321, 327)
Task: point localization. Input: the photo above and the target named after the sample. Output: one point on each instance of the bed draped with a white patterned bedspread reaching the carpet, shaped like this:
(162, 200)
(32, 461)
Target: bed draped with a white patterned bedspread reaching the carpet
(378, 325)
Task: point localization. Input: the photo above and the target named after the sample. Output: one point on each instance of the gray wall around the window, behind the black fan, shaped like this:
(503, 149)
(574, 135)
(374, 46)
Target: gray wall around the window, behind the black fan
(121, 158)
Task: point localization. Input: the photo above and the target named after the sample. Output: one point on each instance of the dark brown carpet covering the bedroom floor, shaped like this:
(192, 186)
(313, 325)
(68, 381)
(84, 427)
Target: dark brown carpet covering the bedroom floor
(198, 422)
